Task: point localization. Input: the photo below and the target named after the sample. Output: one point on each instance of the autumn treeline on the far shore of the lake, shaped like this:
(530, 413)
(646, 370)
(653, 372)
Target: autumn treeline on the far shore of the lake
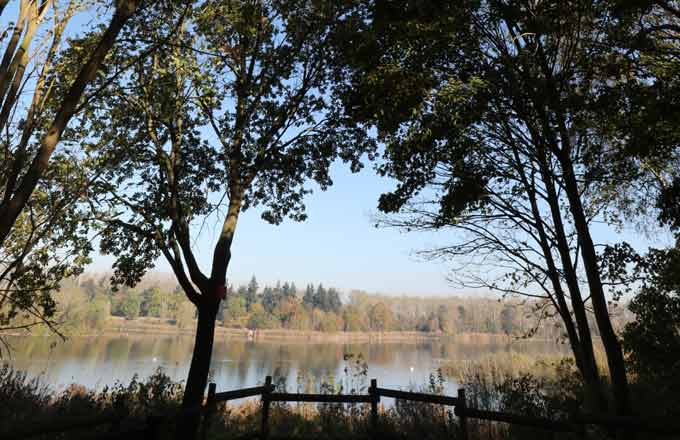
(86, 303)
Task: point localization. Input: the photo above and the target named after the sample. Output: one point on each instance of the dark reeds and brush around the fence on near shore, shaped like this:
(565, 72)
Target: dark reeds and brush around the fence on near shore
(555, 395)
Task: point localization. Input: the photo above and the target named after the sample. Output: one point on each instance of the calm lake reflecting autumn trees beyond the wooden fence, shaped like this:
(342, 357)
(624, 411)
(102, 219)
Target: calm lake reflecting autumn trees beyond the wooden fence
(237, 363)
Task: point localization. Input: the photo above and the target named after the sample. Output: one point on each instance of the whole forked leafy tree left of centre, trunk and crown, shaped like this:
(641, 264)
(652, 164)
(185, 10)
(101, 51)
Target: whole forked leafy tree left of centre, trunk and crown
(253, 75)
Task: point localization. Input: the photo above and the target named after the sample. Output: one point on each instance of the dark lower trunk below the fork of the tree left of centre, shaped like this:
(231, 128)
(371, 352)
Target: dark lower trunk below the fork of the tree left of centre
(200, 366)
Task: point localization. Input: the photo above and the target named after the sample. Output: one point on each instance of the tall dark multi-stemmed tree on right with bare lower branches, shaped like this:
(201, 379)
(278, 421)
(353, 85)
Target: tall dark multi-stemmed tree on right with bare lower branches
(495, 125)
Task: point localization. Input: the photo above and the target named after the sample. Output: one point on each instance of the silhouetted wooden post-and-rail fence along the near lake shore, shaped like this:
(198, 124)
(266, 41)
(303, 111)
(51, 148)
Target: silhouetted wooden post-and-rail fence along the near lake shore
(266, 392)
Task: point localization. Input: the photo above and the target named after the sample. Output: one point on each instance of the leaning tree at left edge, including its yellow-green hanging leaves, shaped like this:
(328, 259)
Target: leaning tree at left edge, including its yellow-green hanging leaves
(39, 216)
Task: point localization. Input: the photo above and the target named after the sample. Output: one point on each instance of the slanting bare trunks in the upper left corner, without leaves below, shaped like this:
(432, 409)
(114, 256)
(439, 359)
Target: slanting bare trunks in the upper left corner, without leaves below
(21, 177)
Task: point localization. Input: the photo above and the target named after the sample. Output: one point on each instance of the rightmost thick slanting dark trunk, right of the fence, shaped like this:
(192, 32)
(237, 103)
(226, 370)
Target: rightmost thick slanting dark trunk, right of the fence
(617, 368)
